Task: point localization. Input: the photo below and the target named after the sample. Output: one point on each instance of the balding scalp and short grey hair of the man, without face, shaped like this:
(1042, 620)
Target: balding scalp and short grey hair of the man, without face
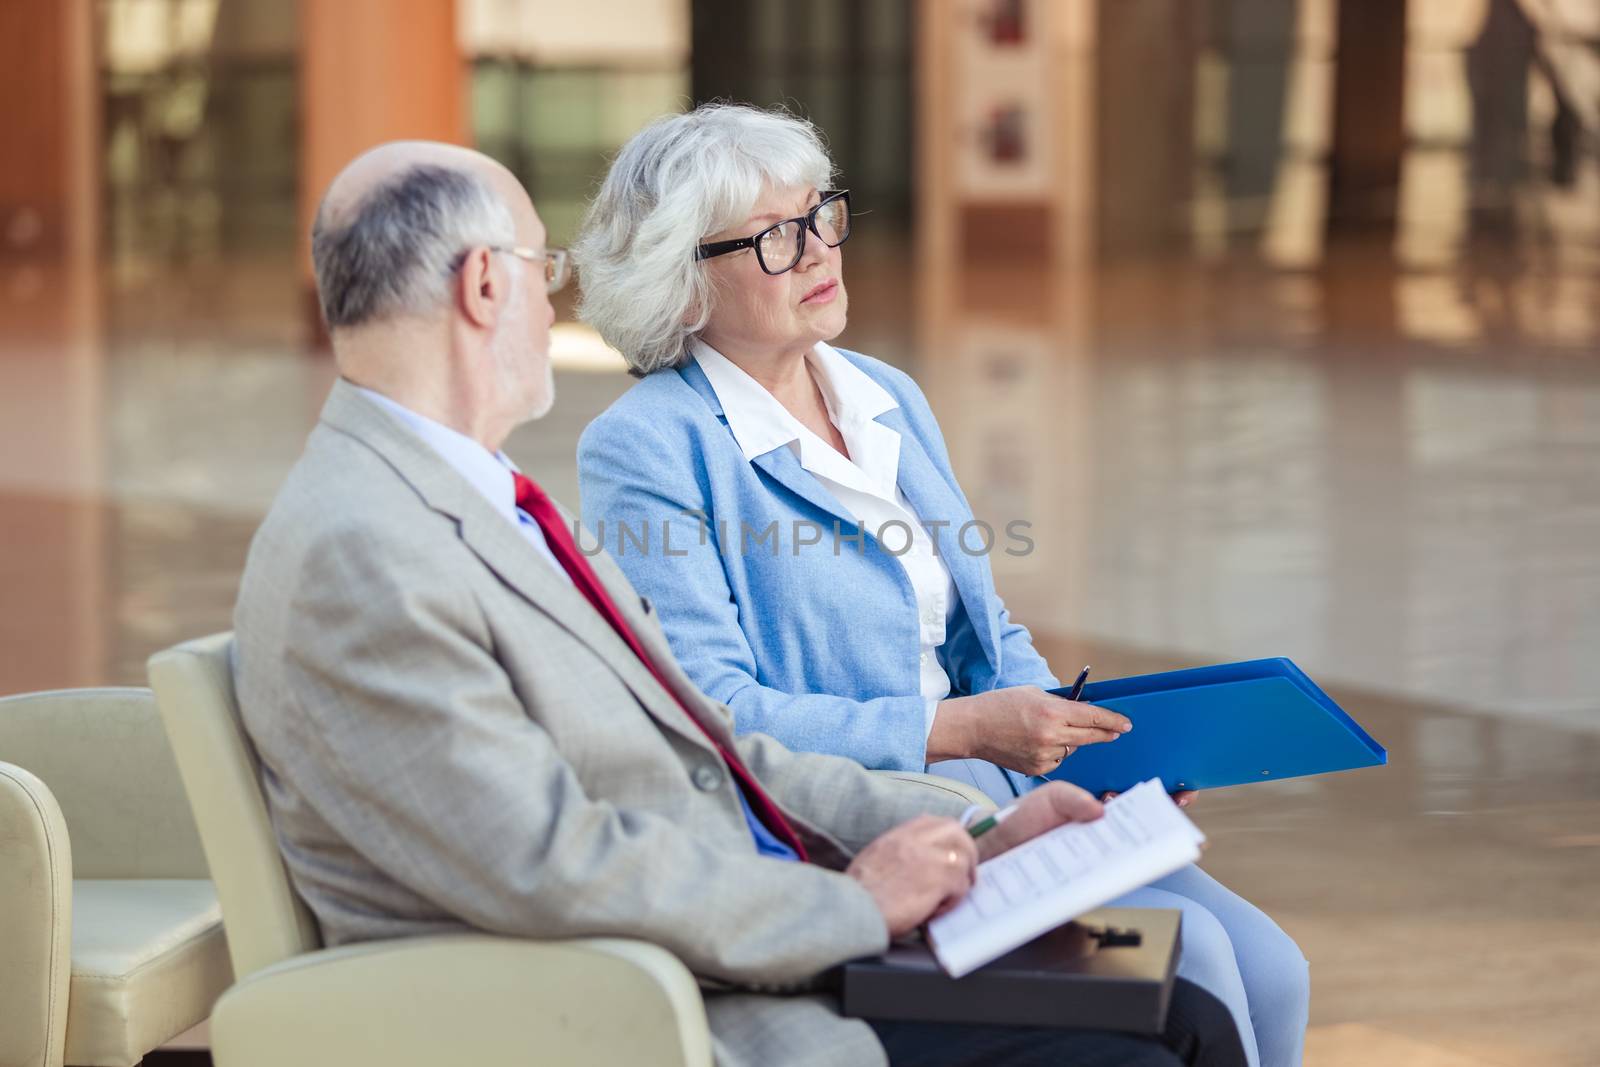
(396, 220)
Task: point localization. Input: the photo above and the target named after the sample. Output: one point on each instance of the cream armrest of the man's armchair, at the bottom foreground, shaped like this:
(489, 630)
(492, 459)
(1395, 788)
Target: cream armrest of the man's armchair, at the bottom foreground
(466, 999)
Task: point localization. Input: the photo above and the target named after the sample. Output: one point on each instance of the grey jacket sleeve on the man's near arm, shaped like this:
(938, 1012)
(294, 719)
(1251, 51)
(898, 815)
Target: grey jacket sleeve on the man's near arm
(415, 748)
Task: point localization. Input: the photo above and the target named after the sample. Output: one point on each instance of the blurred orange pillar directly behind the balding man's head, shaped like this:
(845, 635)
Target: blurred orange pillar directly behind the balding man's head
(374, 71)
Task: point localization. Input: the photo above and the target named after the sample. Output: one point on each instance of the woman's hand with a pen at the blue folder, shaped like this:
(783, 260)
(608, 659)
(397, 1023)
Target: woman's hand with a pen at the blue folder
(1022, 729)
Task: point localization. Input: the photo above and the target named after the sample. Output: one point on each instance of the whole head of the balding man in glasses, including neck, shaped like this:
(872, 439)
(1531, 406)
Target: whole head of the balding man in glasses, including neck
(433, 278)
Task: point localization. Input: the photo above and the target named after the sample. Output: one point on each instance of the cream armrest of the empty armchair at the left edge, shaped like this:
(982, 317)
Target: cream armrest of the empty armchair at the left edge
(36, 921)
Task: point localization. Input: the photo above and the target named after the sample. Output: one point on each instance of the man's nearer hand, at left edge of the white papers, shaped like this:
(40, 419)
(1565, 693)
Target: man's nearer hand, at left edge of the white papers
(918, 871)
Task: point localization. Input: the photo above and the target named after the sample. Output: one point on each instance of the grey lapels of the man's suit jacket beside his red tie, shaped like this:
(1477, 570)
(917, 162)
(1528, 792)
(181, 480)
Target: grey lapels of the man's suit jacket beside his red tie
(505, 551)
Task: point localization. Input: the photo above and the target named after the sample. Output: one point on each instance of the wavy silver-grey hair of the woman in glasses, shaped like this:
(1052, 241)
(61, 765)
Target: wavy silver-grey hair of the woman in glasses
(678, 182)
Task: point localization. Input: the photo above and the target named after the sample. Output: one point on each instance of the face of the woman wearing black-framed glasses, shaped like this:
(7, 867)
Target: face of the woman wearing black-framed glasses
(754, 313)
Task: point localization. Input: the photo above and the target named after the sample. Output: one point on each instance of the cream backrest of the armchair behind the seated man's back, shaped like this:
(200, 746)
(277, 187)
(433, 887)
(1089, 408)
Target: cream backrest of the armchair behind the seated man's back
(265, 919)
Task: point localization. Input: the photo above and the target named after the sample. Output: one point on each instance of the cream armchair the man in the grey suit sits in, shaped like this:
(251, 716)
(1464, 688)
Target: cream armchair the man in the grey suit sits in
(426, 1001)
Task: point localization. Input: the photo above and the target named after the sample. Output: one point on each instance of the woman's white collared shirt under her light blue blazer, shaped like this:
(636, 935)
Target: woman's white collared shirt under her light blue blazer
(866, 482)
